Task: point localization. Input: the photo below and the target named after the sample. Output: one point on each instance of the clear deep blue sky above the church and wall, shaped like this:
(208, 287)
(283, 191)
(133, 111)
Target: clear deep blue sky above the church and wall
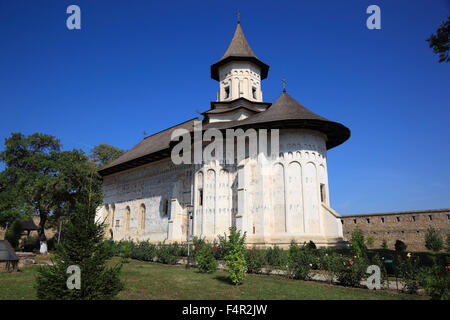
(140, 66)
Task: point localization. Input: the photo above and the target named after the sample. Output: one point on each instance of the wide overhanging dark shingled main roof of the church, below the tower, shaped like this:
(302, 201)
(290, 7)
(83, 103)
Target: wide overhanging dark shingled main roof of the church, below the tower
(286, 112)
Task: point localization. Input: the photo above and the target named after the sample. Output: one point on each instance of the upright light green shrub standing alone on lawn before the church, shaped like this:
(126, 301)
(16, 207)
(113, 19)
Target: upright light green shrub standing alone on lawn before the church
(235, 263)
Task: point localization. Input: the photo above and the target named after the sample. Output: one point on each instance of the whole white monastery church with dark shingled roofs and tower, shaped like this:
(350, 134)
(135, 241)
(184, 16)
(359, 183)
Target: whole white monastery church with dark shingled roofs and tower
(283, 198)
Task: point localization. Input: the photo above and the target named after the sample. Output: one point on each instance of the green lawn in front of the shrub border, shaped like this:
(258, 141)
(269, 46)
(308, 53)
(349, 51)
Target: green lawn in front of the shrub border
(146, 280)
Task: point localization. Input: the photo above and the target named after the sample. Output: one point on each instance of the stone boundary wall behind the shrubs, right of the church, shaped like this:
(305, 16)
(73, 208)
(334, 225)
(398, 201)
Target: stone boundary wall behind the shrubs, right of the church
(408, 226)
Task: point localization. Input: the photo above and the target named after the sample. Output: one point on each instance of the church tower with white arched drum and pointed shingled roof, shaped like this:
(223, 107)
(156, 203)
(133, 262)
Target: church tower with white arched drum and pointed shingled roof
(239, 71)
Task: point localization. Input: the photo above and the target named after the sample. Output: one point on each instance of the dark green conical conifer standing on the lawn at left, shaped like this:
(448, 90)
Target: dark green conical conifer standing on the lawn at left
(82, 246)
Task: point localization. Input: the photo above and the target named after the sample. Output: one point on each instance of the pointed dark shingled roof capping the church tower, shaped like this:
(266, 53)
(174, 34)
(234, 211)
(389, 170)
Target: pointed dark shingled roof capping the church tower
(239, 50)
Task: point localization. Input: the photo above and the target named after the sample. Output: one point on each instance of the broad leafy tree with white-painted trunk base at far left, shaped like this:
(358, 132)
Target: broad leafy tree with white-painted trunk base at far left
(40, 179)
